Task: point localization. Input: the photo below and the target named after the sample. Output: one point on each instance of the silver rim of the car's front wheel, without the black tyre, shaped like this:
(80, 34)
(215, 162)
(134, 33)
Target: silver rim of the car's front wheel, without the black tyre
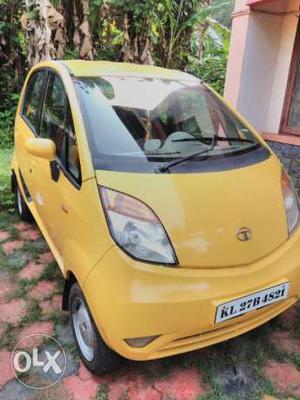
(83, 328)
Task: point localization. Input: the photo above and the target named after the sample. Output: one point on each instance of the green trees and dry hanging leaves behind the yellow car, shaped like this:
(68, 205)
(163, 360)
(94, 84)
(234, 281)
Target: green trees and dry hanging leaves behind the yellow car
(191, 35)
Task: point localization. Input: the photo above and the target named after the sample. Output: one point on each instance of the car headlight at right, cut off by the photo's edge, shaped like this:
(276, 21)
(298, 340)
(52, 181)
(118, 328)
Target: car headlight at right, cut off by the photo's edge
(291, 202)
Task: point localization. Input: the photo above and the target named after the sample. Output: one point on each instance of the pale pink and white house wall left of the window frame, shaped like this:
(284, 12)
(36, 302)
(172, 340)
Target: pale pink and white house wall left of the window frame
(259, 60)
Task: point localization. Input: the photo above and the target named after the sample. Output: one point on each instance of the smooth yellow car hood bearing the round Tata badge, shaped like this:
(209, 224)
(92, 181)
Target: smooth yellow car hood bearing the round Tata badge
(203, 212)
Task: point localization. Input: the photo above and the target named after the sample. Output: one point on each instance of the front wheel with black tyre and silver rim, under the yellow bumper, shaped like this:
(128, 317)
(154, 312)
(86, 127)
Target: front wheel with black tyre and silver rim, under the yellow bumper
(95, 354)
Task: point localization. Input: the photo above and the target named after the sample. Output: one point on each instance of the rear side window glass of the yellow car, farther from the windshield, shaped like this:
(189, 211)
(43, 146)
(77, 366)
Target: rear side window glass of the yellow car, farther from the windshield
(33, 99)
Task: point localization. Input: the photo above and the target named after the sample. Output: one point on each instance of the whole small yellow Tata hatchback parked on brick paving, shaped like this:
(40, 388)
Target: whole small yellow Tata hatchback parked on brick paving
(174, 224)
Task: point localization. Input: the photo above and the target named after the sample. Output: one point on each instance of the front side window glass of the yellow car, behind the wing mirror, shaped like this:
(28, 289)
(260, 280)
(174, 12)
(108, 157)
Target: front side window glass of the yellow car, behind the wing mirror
(57, 125)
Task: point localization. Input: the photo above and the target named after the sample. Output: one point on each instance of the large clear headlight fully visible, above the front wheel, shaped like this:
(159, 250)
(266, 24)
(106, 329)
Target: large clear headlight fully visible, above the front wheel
(136, 229)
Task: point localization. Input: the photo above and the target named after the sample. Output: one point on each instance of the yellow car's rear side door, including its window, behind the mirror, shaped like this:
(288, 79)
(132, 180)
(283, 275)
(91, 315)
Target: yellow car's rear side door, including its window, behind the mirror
(27, 126)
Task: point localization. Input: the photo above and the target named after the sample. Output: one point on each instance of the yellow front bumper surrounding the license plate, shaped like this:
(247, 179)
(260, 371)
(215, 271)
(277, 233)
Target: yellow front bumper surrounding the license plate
(131, 299)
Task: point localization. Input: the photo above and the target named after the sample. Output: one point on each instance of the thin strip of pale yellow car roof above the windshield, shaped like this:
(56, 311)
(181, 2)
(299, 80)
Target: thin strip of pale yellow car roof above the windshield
(82, 68)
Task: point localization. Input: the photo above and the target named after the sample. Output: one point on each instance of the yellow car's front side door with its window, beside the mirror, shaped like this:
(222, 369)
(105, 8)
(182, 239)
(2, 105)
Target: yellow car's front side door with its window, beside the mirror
(59, 181)
